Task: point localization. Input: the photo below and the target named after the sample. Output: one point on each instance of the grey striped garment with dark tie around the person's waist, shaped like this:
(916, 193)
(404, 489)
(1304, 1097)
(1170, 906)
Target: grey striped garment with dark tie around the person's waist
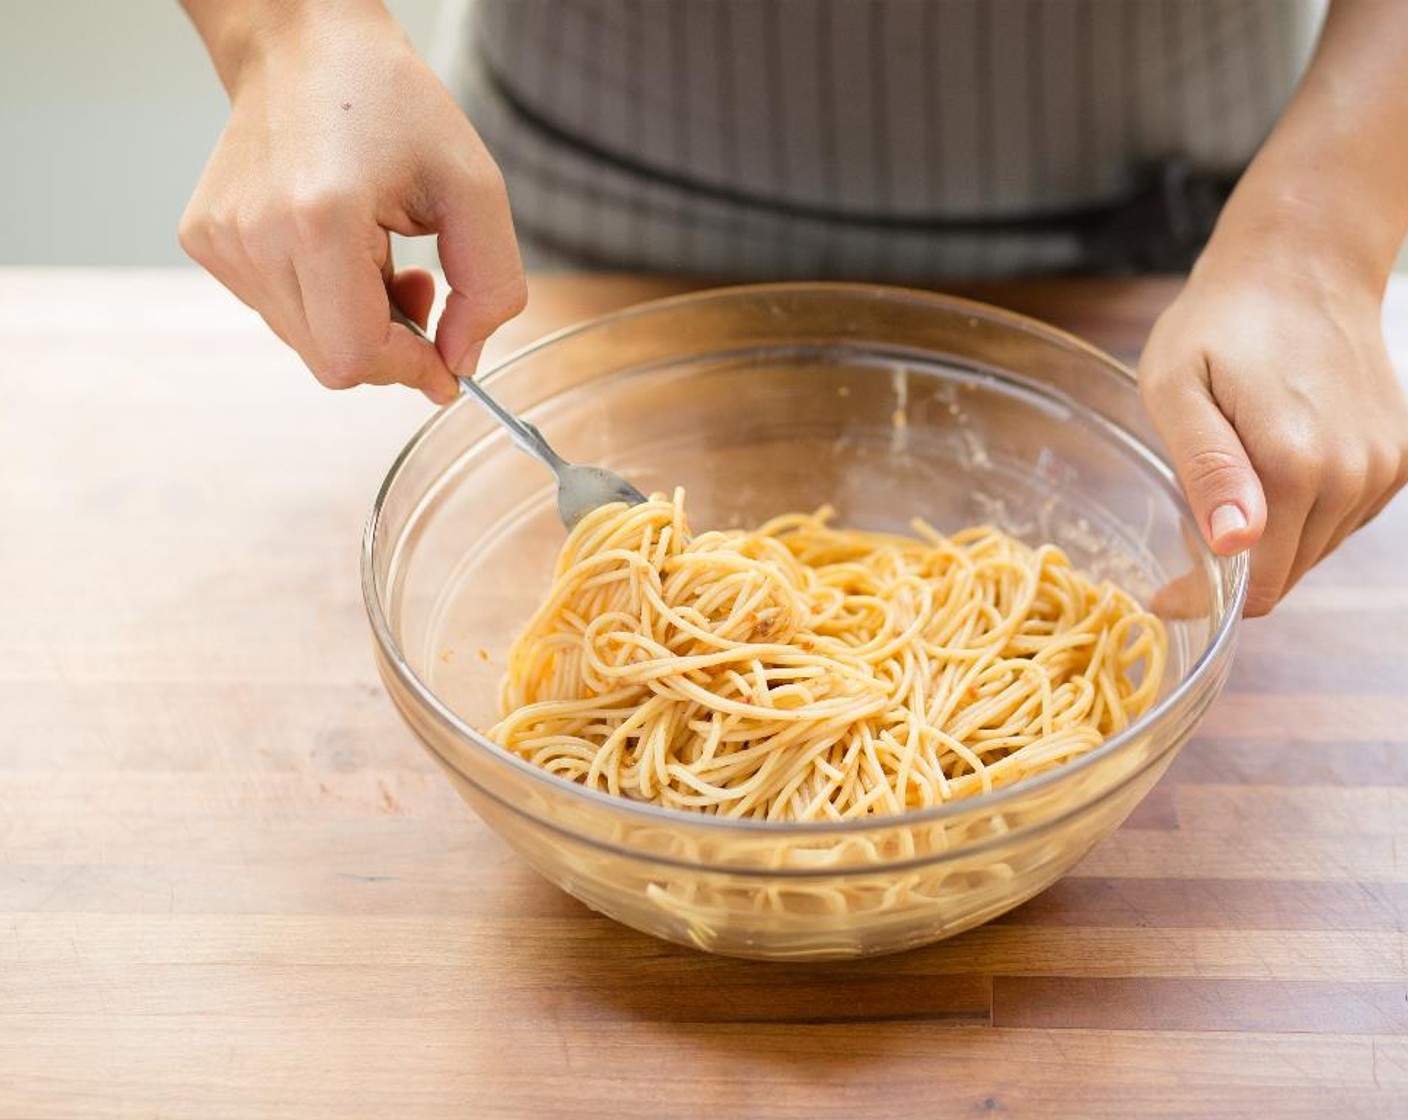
(860, 137)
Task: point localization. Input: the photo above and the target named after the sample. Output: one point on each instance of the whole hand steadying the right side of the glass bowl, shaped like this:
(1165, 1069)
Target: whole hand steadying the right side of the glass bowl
(1271, 384)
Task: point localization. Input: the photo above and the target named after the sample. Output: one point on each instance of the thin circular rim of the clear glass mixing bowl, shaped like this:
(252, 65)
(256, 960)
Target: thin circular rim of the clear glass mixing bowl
(1228, 567)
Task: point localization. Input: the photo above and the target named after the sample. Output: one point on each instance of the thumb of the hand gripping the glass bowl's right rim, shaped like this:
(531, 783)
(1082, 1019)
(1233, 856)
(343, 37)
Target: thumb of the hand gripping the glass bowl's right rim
(1212, 464)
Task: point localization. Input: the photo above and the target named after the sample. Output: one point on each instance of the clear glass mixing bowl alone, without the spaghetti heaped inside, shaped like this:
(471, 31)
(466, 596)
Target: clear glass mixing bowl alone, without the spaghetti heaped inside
(885, 404)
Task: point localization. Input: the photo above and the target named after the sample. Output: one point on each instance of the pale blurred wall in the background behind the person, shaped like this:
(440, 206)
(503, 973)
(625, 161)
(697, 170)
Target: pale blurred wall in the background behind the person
(108, 113)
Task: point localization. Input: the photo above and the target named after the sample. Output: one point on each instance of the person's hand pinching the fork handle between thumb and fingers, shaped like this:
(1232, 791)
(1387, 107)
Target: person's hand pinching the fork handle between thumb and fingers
(340, 133)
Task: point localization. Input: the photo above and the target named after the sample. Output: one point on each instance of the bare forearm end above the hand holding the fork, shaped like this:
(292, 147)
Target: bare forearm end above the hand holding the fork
(237, 32)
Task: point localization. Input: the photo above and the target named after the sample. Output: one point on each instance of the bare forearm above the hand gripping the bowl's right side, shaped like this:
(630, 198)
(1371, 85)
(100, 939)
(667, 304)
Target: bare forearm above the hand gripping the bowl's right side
(1333, 180)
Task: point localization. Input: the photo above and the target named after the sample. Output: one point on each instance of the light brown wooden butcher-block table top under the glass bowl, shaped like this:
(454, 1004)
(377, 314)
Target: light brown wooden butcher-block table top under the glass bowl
(232, 884)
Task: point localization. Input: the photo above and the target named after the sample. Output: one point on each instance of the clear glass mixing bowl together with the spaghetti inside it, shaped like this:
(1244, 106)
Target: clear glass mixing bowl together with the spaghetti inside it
(914, 616)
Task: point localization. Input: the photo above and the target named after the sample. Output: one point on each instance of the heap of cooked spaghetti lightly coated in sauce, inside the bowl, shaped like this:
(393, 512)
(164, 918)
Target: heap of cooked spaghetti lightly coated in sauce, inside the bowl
(802, 673)
